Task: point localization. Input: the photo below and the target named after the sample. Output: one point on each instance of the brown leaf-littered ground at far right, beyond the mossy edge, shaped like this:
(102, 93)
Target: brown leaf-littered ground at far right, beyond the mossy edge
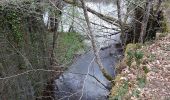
(158, 79)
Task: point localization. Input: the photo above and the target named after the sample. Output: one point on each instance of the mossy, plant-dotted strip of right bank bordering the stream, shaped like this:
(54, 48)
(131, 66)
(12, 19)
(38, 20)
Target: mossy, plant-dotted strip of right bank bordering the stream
(127, 84)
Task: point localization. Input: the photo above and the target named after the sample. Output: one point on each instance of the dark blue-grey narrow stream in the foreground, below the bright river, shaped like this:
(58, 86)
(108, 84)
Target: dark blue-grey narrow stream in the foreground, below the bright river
(75, 83)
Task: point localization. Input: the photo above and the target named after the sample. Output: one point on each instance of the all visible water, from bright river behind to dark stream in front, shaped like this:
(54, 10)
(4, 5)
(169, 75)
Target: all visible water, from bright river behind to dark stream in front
(84, 80)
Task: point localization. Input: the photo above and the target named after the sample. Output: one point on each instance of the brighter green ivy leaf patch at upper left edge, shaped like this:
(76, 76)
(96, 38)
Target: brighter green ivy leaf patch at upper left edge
(11, 23)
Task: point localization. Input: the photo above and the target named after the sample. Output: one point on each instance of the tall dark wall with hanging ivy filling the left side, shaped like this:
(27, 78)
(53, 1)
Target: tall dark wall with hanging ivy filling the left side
(20, 23)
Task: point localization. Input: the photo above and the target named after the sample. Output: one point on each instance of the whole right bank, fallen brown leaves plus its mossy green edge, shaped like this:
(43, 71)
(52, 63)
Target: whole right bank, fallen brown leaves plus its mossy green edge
(150, 78)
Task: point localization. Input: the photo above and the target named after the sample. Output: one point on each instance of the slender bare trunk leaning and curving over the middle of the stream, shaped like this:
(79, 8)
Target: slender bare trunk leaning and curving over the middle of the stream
(94, 46)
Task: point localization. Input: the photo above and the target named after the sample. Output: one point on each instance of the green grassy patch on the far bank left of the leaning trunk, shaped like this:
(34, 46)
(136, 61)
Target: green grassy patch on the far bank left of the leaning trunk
(68, 45)
